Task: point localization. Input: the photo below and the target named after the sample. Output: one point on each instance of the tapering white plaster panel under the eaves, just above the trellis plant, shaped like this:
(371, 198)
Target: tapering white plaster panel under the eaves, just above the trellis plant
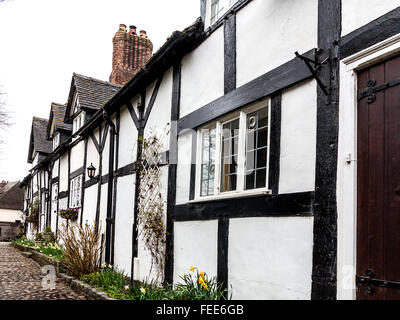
(160, 115)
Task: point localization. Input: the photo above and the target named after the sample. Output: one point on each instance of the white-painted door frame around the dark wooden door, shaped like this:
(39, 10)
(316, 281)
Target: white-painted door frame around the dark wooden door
(347, 171)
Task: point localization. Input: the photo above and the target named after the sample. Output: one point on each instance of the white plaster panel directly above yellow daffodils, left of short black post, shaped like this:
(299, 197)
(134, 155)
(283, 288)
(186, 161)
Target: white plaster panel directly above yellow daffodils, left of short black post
(195, 244)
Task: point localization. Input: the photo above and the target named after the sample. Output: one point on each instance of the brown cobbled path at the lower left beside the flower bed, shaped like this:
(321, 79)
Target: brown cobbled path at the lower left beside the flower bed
(21, 279)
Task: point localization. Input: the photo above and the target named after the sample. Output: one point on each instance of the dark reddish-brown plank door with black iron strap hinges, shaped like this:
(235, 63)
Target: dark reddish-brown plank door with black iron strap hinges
(378, 217)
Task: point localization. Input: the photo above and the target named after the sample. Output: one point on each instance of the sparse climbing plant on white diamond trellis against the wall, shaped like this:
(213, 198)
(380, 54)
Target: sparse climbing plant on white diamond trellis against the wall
(151, 204)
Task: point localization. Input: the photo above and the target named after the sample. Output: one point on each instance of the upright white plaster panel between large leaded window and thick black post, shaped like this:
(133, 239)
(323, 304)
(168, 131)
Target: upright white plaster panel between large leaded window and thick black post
(298, 138)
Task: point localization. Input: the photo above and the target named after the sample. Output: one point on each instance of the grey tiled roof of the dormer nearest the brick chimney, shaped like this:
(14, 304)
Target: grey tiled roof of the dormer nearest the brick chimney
(93, 93)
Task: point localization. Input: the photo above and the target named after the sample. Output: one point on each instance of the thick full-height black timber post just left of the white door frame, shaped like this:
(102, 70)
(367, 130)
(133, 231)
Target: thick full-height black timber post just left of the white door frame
(324, 273)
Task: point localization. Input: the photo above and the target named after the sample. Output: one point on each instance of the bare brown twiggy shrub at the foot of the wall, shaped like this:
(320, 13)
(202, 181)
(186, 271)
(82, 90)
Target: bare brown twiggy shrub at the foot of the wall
(81, 248)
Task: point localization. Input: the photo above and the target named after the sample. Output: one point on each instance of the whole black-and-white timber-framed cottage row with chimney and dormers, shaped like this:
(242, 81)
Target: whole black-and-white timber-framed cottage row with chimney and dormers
(279, 154)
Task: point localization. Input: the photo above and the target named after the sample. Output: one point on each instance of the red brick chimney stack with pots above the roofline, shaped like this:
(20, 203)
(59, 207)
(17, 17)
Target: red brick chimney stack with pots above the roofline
(130, 52)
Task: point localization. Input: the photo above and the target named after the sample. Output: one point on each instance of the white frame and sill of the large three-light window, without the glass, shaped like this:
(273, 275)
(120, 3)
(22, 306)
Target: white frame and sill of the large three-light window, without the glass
(240, 182)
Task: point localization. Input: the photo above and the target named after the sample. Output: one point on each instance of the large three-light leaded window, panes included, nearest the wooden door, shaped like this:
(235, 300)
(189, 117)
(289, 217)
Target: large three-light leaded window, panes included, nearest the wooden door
(233, 153)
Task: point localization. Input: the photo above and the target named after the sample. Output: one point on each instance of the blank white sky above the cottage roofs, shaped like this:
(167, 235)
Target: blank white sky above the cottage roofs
(42, 42)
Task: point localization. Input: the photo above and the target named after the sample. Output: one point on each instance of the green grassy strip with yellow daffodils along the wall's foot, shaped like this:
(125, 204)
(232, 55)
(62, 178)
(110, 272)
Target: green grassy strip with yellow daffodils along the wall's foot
(194, 286)
